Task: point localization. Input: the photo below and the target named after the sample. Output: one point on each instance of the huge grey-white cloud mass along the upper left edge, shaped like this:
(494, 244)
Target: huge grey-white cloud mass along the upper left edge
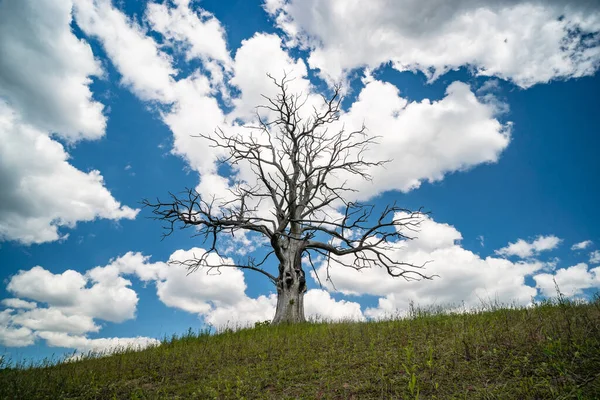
(44, 85)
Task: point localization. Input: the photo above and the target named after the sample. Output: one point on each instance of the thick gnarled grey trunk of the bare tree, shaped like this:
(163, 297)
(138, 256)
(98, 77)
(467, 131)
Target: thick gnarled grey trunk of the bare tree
(291, 285)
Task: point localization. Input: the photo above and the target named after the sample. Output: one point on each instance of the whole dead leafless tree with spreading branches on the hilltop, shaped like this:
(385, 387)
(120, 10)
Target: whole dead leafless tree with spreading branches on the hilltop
(297, 162)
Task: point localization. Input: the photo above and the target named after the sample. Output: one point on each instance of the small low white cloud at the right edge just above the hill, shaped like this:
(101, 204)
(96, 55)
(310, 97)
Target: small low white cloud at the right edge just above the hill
(571, 281)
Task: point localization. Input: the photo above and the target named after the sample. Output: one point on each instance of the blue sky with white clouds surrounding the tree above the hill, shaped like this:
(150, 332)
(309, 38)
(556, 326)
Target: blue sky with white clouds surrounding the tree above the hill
(489, 113)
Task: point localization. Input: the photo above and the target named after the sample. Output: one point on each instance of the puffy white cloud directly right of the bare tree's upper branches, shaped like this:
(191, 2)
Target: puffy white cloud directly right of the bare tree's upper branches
(425, 140)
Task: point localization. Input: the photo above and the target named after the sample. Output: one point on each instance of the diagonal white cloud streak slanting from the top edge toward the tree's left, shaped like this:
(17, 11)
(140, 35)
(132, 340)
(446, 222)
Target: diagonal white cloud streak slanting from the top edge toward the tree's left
(189, 103)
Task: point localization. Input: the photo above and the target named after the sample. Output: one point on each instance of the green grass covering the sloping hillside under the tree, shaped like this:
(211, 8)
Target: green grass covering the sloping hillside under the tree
(549, 351)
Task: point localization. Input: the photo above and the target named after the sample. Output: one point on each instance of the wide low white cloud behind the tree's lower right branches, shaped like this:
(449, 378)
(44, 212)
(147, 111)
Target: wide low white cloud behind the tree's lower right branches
(464, 277)
